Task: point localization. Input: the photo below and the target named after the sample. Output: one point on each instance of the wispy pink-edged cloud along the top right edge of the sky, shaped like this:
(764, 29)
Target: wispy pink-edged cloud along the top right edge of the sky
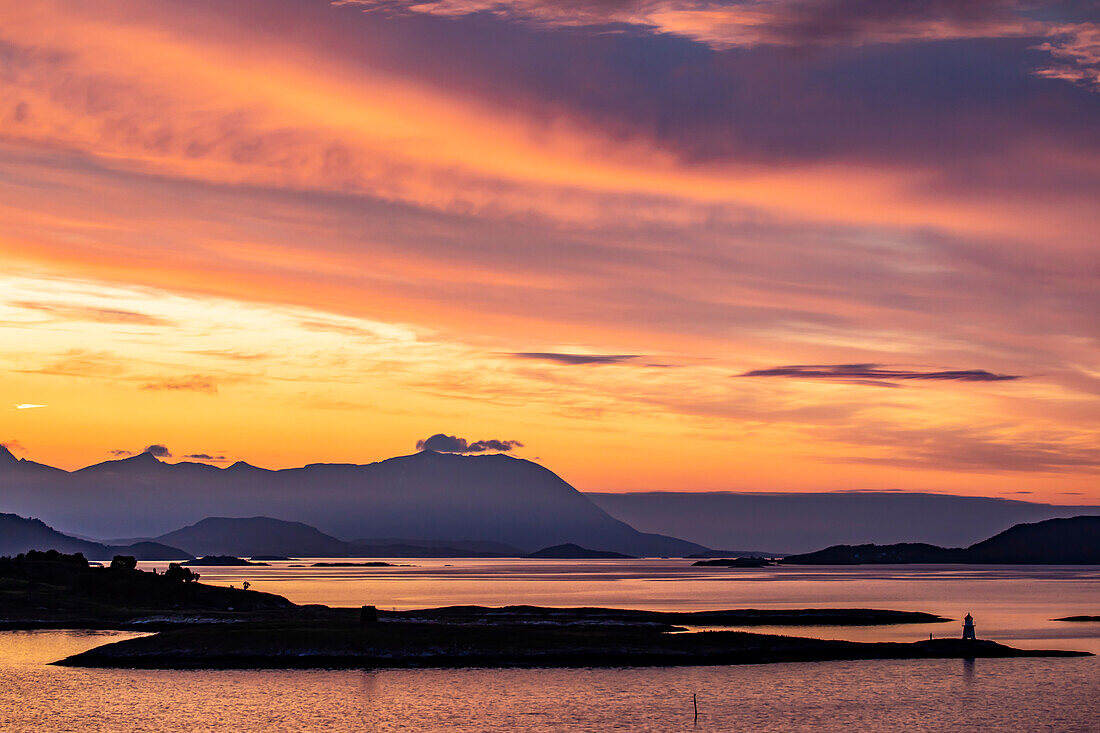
(804, 24)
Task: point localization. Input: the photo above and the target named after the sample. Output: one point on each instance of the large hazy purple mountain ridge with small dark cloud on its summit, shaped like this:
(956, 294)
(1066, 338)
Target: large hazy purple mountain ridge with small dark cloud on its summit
(423, 497)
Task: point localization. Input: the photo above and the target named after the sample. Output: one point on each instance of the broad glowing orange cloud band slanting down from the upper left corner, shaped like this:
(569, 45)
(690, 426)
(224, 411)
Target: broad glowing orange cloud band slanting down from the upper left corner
(270, 114)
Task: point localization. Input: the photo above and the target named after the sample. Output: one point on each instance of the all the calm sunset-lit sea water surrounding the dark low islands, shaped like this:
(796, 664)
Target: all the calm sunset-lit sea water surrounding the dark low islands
(1011, 605)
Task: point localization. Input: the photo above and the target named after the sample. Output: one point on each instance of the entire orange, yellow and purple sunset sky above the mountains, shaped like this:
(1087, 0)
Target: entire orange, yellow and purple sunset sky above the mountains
(654, 245)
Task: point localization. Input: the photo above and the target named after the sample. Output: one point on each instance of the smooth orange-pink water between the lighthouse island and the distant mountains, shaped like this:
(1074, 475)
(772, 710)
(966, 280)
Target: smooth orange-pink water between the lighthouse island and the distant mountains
(1011, 604)
